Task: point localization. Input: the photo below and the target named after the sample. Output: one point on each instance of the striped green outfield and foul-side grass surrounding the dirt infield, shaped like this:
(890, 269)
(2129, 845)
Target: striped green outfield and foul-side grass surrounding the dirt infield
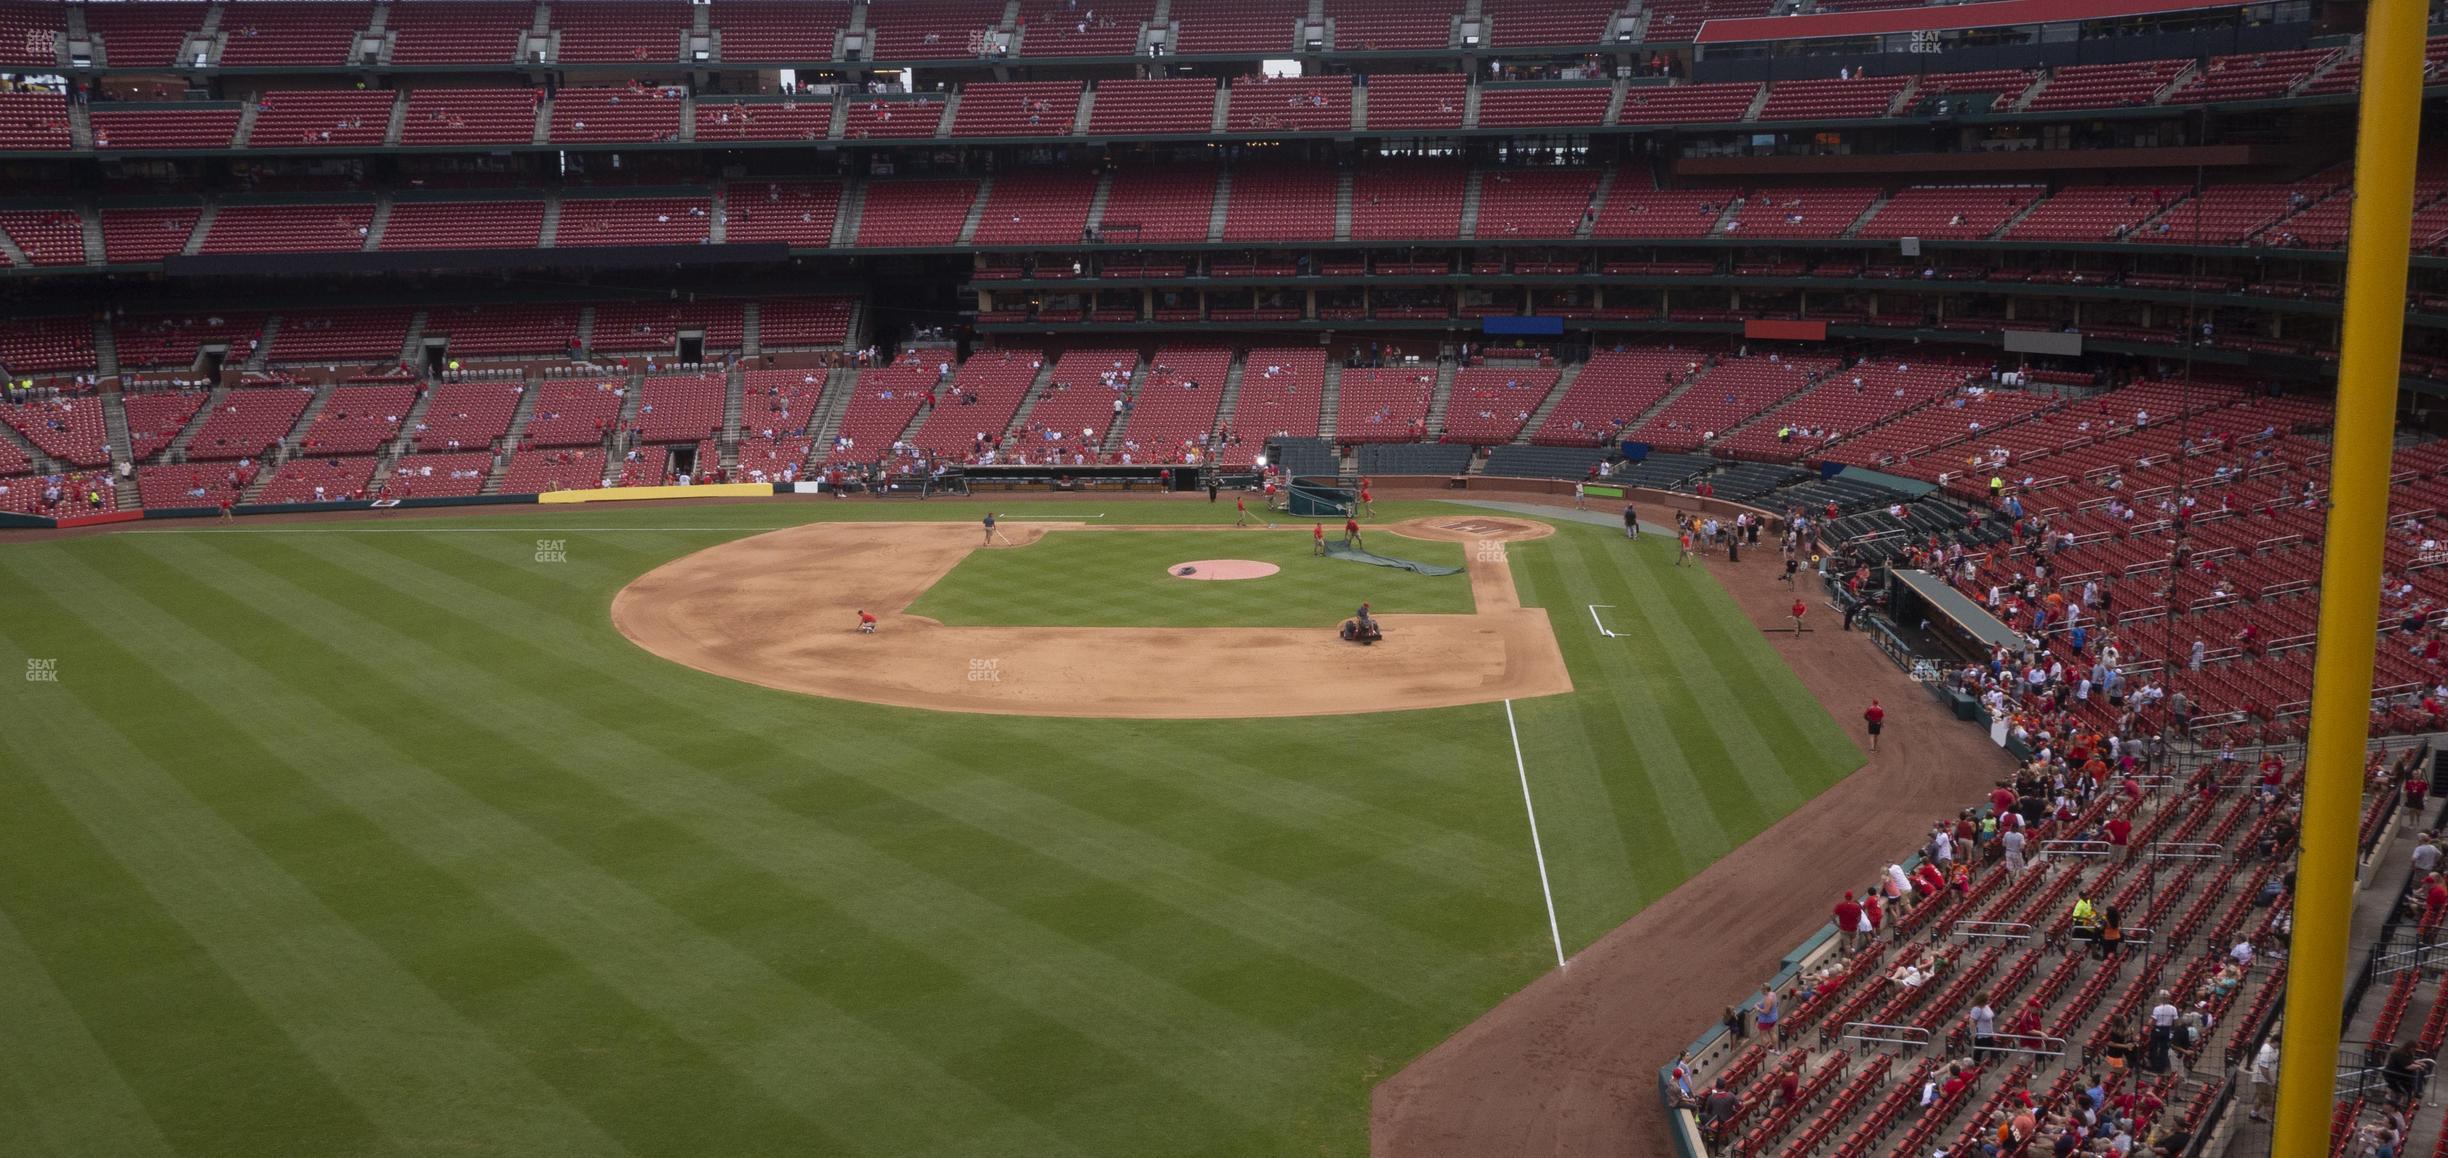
(378, 841)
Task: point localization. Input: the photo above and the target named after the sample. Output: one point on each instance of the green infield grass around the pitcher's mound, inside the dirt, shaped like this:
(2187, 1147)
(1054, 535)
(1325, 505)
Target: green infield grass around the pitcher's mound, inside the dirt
(1073, 579)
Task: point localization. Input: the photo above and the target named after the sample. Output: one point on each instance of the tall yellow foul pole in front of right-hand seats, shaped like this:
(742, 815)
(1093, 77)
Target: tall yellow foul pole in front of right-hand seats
(2376, 324)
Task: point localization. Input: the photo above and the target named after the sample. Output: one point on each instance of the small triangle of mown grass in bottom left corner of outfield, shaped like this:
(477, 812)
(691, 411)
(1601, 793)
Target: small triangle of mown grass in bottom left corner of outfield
(60, 1091)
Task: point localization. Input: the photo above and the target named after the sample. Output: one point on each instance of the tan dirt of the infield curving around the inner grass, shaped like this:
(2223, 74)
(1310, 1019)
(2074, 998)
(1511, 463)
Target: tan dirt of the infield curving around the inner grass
(780, 611)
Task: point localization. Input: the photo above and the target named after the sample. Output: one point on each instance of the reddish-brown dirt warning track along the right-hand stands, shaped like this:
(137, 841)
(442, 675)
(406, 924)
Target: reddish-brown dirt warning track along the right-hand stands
(1570, 1064)
